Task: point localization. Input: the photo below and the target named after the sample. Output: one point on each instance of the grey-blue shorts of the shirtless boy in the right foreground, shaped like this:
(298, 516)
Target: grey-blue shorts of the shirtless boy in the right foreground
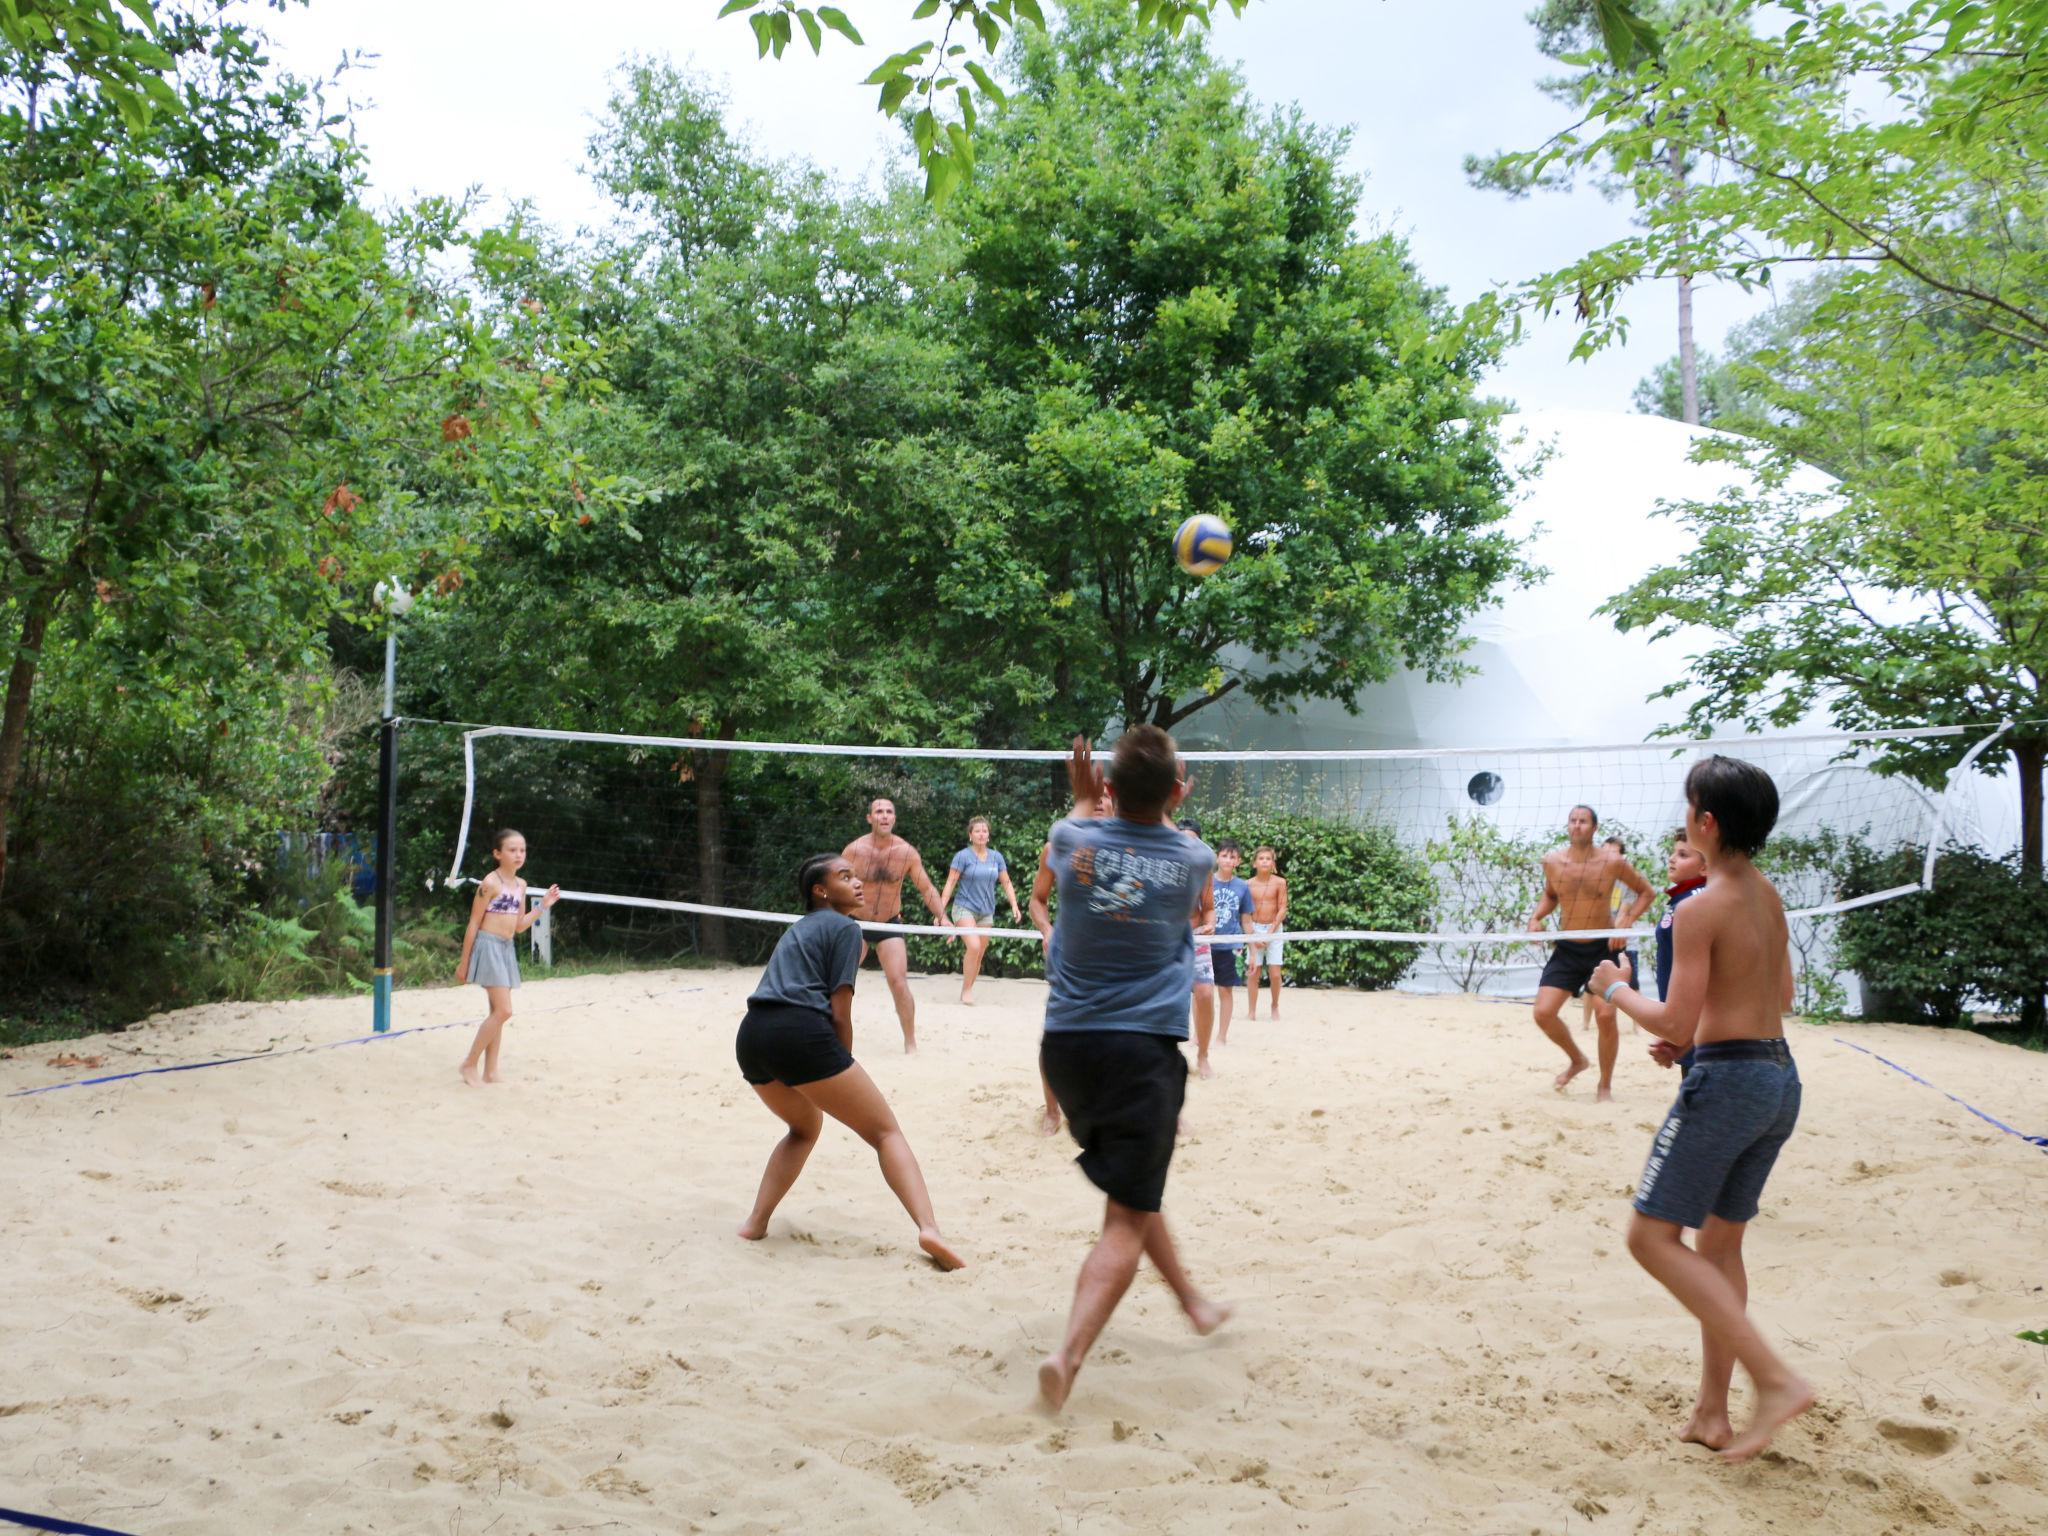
(1721, 1138)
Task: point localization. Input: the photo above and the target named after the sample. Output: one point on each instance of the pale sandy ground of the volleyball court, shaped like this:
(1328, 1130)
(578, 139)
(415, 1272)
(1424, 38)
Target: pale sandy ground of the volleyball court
(337, 1291)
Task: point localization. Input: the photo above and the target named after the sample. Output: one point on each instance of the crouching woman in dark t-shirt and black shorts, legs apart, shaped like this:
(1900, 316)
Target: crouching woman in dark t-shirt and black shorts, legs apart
(796, 1050)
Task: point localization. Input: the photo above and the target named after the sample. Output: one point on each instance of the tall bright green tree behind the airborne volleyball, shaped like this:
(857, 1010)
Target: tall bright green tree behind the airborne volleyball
(1168, 314)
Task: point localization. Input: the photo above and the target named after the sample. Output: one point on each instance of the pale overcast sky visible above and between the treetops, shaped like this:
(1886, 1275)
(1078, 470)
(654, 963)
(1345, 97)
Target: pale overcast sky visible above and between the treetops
(503, 95)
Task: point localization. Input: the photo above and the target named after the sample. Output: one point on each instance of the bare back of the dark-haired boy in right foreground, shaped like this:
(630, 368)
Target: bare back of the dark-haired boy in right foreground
(1736, 937)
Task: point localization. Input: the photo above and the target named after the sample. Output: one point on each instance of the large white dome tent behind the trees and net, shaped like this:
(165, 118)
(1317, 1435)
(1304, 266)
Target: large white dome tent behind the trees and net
(1553, 681)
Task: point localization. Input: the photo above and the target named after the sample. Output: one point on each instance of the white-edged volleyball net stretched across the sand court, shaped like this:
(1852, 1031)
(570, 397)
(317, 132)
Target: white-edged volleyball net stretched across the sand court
(1412, 867)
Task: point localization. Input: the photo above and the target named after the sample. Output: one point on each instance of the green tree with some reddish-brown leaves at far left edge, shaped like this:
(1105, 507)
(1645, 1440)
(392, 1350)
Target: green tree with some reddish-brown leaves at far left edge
(230, 398)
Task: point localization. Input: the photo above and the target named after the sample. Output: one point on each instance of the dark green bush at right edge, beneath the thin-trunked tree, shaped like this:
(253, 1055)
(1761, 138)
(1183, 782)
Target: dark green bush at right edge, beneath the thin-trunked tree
(1979, 935)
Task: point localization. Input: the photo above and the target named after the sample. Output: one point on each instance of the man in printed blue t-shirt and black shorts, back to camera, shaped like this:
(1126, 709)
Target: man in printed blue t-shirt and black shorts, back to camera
(1121, 966)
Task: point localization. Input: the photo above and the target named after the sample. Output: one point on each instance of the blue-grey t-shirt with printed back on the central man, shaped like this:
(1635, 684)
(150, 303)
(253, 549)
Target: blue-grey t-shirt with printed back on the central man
(1123, 953)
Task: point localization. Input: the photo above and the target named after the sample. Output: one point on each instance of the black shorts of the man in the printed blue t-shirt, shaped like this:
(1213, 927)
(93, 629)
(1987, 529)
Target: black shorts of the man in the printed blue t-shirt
(1121, 1093)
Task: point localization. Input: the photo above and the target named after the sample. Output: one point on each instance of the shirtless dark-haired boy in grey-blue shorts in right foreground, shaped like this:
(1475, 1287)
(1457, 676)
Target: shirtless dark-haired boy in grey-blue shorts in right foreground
(1732, 984)
